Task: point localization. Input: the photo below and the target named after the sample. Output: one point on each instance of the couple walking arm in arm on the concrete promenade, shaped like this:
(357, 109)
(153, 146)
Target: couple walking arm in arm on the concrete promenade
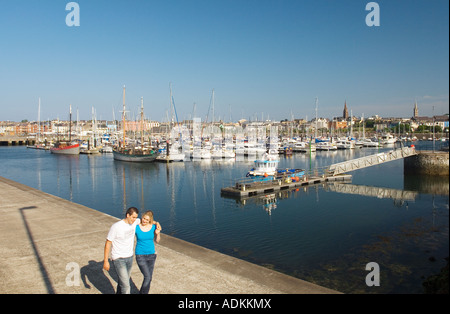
(120, 243)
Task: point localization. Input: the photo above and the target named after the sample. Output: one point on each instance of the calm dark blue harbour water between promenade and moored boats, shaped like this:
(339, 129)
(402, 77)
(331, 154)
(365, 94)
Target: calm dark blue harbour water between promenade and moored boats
(324, 234)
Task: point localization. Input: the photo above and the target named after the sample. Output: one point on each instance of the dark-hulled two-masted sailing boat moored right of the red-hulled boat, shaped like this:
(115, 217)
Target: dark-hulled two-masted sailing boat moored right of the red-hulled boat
(134, 153)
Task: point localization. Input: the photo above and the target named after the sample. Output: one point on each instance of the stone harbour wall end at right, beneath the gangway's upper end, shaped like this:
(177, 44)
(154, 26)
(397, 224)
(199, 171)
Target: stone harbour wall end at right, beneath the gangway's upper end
(434, 163)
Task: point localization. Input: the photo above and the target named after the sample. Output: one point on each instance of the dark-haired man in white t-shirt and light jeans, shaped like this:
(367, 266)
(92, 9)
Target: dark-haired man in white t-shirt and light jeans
(120, 242)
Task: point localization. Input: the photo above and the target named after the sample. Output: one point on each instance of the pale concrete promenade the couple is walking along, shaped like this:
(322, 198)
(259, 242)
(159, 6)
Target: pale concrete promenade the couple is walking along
(51, 245)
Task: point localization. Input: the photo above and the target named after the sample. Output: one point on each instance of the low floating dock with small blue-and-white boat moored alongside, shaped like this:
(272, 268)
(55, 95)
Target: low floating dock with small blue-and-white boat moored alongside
(247, 187)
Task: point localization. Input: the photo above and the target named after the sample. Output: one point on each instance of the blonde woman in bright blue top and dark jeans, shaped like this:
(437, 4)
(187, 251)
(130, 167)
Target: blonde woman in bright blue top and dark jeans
(147, 233)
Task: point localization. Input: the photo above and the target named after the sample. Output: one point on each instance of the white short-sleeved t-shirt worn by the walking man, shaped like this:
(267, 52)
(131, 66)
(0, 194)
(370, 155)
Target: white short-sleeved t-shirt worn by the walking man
(121, 235)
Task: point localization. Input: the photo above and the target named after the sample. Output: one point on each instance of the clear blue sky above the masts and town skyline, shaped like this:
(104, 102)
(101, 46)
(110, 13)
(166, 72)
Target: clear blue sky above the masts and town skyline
(264, 58)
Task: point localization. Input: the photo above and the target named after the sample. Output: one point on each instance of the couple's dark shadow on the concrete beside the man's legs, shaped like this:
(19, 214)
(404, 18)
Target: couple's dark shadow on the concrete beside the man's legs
(94, 274)
